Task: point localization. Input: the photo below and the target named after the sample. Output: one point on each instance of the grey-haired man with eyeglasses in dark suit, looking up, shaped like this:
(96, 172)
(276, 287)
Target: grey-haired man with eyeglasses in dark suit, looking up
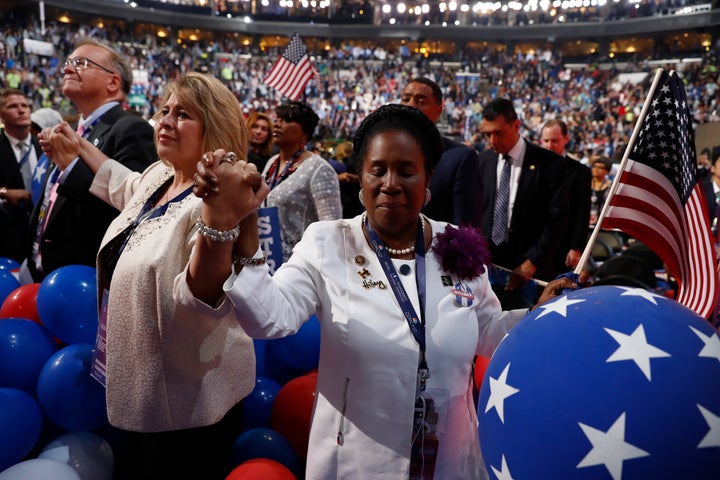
(69, 222)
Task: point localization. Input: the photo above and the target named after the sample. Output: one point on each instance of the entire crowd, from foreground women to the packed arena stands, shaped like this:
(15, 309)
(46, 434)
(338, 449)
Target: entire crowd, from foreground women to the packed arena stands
(168, 214)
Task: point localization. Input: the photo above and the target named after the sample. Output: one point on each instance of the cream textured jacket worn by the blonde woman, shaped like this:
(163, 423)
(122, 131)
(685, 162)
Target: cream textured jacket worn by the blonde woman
(173, 362)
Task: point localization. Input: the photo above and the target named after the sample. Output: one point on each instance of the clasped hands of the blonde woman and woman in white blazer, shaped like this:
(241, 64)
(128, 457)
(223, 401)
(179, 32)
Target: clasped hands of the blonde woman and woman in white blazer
(231, 189)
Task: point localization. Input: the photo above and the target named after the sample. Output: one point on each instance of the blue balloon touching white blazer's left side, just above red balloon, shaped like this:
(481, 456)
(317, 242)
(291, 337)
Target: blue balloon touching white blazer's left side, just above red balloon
(299, 352)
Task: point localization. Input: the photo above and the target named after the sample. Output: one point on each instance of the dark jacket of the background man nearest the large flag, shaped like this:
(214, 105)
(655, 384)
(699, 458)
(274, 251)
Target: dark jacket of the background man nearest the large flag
(578, 181)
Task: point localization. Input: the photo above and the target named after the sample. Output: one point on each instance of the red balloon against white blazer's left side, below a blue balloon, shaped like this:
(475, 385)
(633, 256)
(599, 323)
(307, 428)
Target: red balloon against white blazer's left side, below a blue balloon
(292, 412)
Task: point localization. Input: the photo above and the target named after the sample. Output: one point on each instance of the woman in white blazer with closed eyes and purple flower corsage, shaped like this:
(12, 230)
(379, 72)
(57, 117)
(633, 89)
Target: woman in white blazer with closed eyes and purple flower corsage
(402, 303)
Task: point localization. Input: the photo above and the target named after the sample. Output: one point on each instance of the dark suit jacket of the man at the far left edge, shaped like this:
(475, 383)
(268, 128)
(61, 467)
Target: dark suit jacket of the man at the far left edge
(14, 228)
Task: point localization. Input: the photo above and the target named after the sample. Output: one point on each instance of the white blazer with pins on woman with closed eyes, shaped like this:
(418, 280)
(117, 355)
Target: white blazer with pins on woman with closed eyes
(368, 355)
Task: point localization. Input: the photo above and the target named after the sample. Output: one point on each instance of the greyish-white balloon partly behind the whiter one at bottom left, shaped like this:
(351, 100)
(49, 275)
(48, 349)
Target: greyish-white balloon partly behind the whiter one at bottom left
(88, 454)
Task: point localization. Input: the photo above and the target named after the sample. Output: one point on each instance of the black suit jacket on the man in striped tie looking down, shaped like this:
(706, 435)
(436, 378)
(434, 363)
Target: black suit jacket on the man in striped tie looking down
(539, 216)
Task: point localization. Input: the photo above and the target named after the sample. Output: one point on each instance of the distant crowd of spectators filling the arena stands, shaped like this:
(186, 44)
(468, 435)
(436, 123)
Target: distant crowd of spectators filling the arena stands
(354, 81)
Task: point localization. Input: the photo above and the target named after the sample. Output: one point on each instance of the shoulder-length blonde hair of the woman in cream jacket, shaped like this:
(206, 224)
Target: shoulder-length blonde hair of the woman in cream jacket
(218, 109)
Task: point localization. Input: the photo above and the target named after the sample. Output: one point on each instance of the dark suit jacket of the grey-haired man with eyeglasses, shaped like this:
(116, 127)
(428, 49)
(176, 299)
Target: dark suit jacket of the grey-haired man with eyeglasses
(78, 220)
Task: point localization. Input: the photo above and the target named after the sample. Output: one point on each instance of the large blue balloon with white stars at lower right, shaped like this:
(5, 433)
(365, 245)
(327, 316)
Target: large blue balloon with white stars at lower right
(608, 383)
